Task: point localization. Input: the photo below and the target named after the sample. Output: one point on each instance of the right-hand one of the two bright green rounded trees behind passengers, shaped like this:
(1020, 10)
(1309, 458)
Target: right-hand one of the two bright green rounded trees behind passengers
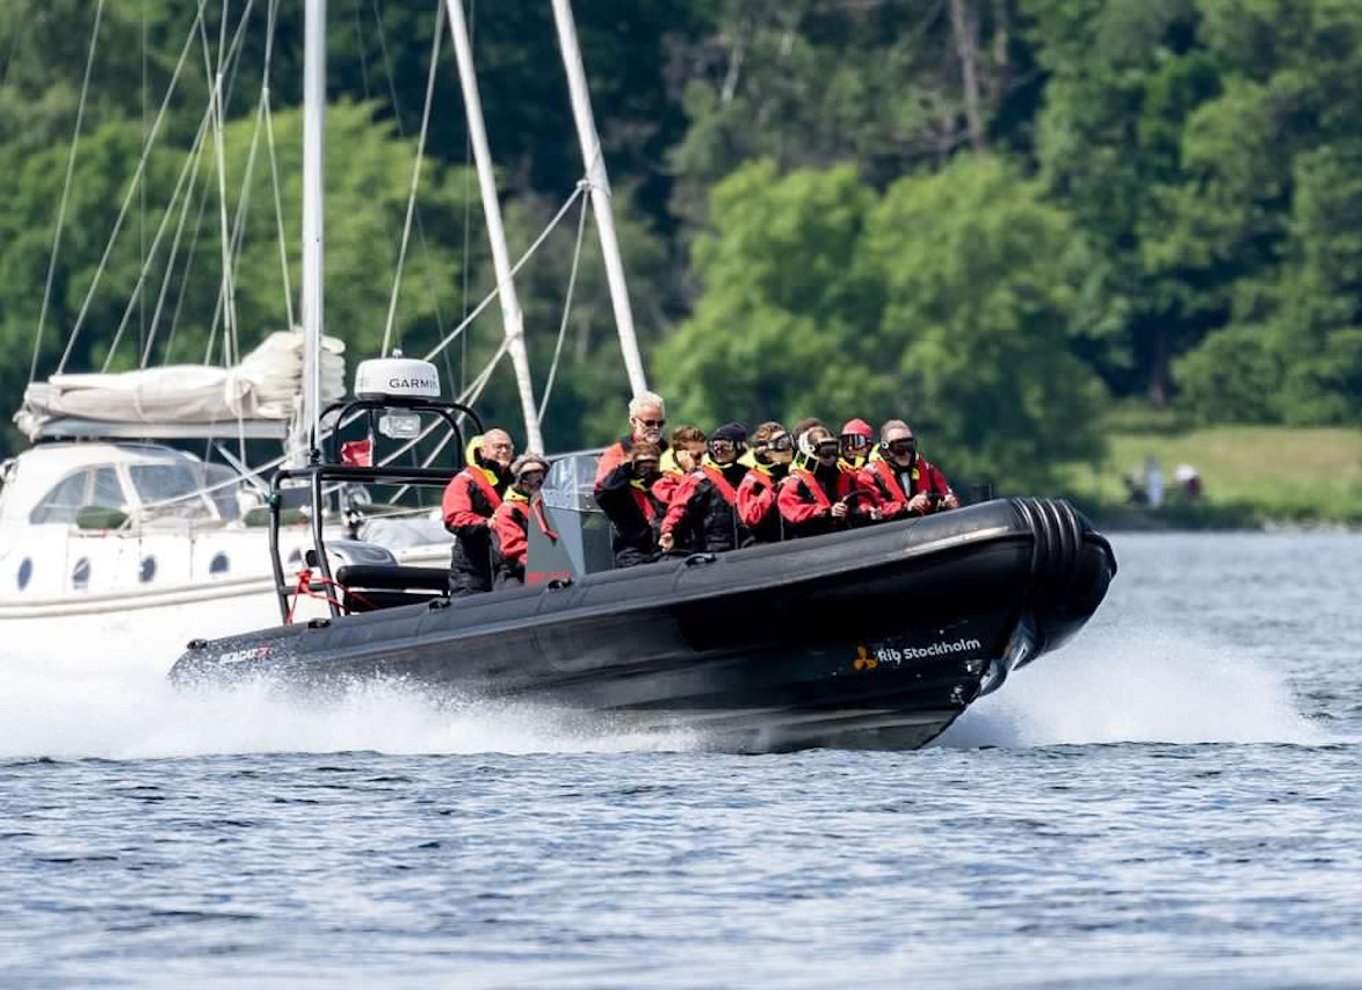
(980, 300)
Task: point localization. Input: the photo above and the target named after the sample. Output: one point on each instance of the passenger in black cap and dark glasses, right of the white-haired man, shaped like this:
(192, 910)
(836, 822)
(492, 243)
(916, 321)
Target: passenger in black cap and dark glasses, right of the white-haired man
(706, 505)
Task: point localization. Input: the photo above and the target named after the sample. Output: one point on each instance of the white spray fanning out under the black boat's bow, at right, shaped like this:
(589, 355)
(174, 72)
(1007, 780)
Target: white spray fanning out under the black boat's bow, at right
(1134, 684)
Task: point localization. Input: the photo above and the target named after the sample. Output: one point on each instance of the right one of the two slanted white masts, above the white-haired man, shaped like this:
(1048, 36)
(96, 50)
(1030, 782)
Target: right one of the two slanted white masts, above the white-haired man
(600, 182)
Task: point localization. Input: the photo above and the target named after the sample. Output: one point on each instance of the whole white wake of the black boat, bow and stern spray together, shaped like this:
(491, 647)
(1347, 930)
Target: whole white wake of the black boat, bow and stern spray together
(1112, 686)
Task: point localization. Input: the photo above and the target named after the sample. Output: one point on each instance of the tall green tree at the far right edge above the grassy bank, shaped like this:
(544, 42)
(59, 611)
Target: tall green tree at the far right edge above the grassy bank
(1276, 194)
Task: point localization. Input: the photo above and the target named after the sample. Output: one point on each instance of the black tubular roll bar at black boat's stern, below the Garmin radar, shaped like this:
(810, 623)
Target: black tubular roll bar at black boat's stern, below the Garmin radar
(325, 466)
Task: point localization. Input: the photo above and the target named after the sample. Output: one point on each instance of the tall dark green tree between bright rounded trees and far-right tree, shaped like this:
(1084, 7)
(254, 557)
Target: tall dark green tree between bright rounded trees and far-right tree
(1124, 76)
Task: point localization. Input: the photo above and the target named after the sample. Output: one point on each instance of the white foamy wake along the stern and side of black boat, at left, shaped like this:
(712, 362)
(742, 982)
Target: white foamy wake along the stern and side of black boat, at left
(125, 709)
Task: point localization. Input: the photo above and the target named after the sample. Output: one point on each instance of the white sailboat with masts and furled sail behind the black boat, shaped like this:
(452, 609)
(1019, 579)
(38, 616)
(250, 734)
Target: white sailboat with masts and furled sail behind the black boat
(104, 533)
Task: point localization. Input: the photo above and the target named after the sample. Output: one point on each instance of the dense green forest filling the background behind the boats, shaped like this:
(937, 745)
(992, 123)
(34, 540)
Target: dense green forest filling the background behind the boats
(995, 217)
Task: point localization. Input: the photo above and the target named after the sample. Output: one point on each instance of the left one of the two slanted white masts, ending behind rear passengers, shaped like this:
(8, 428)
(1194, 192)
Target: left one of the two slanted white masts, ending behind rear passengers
(513, 321)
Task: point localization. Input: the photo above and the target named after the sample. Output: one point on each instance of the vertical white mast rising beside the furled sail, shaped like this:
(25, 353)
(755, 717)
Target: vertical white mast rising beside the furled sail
(314, 172)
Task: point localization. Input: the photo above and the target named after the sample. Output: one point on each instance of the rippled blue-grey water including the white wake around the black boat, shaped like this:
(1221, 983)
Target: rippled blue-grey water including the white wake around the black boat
(1171, 801)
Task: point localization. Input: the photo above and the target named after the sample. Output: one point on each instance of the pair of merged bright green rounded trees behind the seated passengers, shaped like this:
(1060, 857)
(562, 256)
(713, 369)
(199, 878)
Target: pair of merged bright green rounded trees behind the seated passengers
(949, 302)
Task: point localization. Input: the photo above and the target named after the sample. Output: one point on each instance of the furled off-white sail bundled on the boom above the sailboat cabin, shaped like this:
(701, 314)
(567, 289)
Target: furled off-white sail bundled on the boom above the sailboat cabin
(268, 385)
